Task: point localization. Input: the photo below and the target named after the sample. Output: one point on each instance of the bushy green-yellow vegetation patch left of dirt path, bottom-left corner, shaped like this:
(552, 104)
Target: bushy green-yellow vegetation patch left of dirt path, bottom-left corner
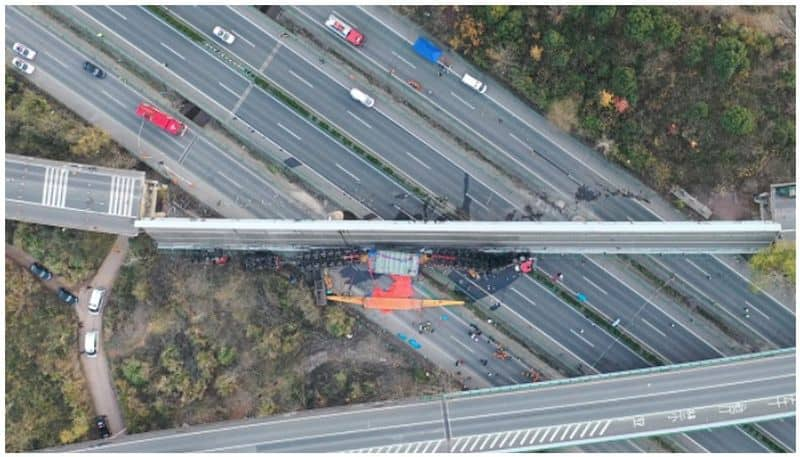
(47, 402)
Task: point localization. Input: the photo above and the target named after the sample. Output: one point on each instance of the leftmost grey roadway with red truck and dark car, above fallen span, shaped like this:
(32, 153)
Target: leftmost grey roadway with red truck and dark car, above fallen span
(59, 71)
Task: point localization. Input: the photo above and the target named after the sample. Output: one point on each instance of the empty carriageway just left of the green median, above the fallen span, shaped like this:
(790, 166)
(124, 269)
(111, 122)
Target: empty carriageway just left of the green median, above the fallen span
(257, 108)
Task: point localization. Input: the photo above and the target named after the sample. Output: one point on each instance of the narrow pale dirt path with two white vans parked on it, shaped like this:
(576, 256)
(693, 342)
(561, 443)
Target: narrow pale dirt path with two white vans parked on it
(97, 369)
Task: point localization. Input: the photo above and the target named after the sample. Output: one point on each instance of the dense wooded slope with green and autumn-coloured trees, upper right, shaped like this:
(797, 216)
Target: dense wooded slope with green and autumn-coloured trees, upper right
(689, 96)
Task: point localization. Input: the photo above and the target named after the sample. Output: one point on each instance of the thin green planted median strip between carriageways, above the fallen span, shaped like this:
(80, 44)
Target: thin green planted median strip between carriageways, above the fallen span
(300, 109)
